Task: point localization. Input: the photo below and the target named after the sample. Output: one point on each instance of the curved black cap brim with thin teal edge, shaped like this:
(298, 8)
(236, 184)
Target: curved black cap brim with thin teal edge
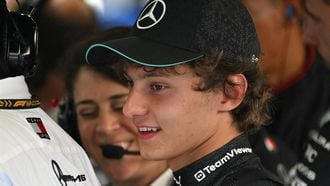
(141, 51)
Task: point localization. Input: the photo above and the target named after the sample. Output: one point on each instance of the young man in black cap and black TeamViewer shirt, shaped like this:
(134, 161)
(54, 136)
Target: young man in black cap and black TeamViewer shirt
(196, 89)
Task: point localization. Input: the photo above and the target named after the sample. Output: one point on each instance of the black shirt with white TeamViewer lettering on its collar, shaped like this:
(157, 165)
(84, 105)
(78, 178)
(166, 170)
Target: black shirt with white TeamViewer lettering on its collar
(232, 164)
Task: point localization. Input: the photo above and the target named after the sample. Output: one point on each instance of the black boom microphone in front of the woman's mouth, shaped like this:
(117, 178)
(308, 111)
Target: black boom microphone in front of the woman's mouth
(116, 152)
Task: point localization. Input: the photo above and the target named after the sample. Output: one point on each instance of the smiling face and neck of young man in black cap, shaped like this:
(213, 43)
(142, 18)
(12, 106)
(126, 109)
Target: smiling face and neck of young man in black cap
(176, 122)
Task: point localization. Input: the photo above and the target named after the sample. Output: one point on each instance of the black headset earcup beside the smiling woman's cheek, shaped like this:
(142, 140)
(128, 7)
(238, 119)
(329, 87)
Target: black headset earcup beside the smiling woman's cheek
(67, 118)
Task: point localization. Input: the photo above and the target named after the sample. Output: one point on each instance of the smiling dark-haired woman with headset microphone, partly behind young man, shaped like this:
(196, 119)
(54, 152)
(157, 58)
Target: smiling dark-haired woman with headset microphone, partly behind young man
(94, 117)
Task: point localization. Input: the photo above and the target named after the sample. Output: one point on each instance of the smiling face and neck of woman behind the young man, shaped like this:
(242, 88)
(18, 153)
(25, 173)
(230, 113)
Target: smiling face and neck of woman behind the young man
(99, 102)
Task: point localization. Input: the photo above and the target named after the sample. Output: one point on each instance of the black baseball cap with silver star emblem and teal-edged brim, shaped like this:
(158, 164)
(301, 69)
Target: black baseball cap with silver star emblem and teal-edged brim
(171, 32)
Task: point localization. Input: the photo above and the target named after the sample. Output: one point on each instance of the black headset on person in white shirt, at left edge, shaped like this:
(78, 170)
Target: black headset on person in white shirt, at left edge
(19, 43)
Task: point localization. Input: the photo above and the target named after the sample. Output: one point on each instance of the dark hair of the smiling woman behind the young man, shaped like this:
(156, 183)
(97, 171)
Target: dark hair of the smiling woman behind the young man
(69, 67)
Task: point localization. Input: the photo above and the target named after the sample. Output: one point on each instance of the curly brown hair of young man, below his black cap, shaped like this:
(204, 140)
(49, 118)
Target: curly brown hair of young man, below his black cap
(214, 70)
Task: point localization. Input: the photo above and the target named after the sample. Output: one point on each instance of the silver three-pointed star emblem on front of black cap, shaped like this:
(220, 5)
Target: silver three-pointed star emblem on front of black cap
(151, 14)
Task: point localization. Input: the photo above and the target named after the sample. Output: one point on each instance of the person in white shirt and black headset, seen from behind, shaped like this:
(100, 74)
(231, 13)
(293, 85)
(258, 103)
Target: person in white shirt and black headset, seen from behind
(34, 150)
